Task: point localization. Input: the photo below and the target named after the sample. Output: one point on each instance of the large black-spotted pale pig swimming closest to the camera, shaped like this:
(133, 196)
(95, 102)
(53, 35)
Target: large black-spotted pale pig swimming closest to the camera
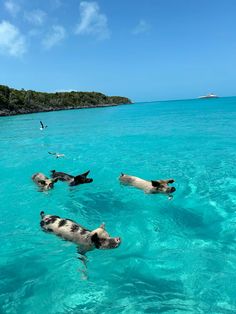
(86, 240)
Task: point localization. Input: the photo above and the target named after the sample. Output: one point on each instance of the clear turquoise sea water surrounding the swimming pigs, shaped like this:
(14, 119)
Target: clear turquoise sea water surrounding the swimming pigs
(176, 256)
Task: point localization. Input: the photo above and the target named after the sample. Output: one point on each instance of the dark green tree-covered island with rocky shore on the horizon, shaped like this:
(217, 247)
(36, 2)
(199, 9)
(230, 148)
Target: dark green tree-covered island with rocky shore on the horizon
(13, 101)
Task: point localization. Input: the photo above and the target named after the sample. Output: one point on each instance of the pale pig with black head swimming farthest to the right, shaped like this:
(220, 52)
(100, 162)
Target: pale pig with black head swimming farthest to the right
(152, 187)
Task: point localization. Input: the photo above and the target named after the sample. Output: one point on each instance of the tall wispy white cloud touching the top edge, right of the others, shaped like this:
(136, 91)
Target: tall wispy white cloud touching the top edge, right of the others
(92, 21)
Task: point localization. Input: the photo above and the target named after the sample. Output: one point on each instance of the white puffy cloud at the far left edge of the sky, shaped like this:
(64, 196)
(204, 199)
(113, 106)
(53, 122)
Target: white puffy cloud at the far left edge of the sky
(12, 42)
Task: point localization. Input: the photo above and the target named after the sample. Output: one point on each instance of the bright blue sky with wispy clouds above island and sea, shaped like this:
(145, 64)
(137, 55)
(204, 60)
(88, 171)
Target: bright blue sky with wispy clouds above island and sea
(145, 50)
